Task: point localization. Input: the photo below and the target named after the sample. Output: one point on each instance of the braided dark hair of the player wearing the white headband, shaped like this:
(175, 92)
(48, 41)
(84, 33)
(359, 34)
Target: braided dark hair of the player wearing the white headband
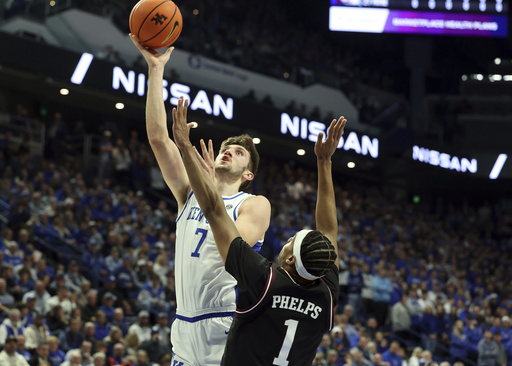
(317, 253)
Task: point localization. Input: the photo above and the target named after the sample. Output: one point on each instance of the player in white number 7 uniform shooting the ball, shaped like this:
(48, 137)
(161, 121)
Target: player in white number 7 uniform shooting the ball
(205, 292)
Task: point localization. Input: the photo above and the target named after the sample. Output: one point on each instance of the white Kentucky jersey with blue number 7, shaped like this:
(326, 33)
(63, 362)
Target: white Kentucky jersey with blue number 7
(203, 287)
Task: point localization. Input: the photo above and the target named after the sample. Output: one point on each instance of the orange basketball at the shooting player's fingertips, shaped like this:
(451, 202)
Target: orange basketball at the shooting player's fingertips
(156, 23)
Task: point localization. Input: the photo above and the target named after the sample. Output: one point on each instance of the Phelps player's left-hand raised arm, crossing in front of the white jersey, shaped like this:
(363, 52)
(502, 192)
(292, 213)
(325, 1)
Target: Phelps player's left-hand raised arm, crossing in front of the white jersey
(208, 196)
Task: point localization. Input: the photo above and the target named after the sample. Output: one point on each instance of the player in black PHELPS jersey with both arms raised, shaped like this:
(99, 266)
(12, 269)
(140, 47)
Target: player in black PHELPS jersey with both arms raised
(282, 312)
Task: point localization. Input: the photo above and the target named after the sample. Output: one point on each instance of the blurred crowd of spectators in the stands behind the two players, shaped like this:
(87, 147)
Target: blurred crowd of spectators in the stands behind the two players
(87, 261)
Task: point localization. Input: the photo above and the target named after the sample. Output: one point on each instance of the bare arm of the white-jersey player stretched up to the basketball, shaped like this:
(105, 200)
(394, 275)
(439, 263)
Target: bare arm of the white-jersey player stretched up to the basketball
(166, 152)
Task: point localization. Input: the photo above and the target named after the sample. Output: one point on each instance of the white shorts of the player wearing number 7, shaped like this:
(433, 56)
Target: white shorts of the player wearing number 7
(199, 343)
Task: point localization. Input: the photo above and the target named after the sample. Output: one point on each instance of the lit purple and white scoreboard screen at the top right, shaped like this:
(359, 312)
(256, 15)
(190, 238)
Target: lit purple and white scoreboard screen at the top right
(483, 18)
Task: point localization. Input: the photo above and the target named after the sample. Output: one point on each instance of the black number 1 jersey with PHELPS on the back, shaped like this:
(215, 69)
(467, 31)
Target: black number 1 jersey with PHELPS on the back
(277, 321)
